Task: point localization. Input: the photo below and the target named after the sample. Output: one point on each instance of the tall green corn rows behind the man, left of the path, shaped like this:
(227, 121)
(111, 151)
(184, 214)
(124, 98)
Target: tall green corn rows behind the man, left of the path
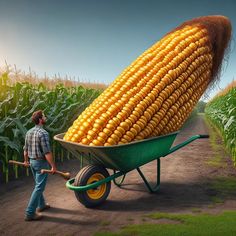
(17, 103)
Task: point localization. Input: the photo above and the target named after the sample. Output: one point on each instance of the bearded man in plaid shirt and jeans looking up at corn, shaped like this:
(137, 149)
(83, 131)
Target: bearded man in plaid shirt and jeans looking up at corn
(37, 153)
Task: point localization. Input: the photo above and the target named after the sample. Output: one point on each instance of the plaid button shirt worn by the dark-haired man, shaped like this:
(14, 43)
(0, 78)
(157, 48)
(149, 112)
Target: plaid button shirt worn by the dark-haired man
(37, 142)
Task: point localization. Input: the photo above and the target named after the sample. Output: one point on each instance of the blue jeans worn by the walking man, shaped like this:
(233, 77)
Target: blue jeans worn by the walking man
(37, 199)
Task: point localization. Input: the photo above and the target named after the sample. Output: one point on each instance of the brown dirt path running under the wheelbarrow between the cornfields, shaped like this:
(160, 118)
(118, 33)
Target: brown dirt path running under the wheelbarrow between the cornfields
(185, 178)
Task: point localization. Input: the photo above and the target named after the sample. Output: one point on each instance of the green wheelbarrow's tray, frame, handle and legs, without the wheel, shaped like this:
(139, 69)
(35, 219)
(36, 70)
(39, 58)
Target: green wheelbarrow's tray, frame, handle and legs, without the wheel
(124, 158)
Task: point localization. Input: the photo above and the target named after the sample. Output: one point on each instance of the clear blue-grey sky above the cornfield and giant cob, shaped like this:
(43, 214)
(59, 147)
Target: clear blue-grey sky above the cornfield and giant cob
(94, 40)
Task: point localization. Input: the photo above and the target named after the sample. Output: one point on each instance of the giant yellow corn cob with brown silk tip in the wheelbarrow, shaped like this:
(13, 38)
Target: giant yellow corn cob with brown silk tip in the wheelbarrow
(157, 92)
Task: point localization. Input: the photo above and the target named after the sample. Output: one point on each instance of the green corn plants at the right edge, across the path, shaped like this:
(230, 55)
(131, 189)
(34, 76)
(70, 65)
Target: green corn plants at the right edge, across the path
(221, 112)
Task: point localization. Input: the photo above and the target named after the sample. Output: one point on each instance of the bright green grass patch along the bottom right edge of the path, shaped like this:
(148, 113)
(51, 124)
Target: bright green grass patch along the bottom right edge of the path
(189, 224)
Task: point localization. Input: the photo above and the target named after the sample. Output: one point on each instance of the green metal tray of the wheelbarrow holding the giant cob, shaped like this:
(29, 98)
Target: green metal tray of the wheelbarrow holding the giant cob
(121, 157)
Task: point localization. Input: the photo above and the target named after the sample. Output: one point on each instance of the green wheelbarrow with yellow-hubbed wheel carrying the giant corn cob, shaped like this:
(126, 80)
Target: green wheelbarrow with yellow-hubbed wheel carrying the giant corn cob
(92, 184)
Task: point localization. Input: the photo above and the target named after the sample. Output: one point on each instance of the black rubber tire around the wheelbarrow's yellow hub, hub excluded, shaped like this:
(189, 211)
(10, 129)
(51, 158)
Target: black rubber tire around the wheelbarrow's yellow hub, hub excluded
(81, 180)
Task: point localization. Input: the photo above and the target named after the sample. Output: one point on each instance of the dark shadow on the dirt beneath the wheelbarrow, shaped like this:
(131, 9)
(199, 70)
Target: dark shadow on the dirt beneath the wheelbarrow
(171, 196)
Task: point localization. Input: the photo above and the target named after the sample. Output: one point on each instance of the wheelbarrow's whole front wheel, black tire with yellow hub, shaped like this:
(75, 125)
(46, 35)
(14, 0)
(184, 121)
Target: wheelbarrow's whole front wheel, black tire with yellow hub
(88, 175)
